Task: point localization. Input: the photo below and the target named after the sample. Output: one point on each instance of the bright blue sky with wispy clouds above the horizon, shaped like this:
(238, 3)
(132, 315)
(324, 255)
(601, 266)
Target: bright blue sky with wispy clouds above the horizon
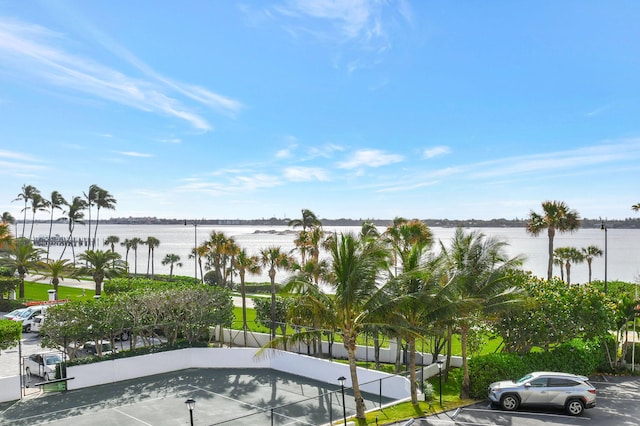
(355, 109)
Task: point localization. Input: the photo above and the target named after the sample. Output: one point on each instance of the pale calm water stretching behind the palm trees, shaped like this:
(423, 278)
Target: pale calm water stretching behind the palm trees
(623, 245)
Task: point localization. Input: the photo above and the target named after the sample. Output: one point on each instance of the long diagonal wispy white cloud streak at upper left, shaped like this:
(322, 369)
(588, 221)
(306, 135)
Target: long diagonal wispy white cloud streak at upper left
(34, 51)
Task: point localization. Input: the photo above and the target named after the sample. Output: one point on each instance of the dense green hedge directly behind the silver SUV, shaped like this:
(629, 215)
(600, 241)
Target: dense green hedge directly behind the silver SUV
(577, 357)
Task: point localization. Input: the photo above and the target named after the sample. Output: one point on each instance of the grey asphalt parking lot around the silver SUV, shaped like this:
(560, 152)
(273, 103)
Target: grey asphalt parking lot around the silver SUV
(618, 403)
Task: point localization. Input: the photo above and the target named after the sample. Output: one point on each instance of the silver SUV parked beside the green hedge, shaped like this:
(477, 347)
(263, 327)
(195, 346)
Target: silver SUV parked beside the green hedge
(545, 389)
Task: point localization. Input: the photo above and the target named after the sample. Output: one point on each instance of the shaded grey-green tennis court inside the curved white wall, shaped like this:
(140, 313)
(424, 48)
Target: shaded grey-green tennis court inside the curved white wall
(223, 396)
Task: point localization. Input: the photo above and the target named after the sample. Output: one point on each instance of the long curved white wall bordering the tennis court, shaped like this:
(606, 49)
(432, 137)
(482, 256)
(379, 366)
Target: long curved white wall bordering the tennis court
(112, 371)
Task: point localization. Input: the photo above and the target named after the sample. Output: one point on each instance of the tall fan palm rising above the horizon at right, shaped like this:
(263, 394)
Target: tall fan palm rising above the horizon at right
(556, 216)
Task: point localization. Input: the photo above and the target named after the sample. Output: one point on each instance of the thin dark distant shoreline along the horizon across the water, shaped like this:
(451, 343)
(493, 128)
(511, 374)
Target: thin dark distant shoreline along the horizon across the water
(629, 223)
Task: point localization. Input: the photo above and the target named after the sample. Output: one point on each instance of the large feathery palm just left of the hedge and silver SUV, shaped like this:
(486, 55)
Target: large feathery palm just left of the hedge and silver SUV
(477, 268)
